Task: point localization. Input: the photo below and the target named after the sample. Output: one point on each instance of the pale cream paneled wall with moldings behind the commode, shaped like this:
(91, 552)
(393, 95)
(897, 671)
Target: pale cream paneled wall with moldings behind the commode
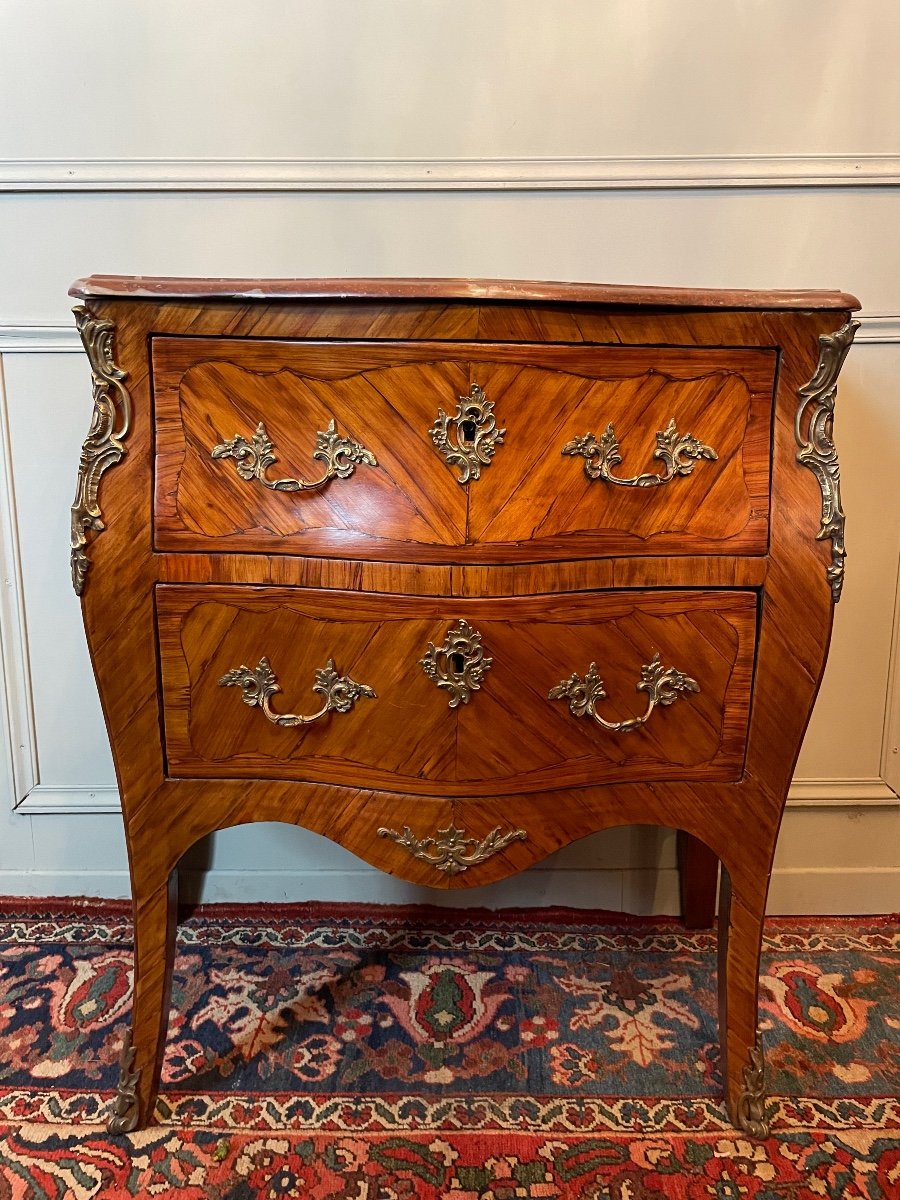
(443, 137)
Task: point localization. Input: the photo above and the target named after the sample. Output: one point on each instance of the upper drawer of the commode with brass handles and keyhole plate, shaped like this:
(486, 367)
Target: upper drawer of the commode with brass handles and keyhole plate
(460, 452)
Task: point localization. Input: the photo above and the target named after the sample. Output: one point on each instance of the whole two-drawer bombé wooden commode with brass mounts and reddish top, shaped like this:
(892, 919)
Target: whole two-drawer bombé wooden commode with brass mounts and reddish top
(455, 573)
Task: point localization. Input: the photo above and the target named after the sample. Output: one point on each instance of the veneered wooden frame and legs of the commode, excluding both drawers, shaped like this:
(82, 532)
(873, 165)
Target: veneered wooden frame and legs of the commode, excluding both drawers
(739, 821)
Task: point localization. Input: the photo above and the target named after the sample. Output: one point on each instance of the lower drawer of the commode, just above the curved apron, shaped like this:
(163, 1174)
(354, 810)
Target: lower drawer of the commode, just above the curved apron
(455, 698)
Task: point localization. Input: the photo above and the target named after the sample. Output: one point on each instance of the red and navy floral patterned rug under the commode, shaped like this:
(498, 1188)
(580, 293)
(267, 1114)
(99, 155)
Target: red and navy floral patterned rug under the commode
(374, 1053)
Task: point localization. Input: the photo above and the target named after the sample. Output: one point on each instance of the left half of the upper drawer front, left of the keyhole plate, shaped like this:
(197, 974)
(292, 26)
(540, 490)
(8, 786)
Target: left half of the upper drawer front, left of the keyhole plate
(211, 393)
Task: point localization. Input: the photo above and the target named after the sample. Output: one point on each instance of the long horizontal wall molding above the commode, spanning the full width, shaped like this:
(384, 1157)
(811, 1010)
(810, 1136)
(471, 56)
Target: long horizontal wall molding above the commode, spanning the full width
(447, 175)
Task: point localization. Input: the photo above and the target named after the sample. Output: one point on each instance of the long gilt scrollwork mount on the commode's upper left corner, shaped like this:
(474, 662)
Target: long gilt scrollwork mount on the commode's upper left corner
(104, 447)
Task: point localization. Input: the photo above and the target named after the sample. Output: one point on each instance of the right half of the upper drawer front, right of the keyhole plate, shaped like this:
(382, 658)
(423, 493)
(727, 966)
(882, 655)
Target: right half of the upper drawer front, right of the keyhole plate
(539, 496)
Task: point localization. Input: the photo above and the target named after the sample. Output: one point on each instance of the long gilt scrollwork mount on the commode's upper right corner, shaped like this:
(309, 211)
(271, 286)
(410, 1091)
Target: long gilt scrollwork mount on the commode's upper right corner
(818, 451)
